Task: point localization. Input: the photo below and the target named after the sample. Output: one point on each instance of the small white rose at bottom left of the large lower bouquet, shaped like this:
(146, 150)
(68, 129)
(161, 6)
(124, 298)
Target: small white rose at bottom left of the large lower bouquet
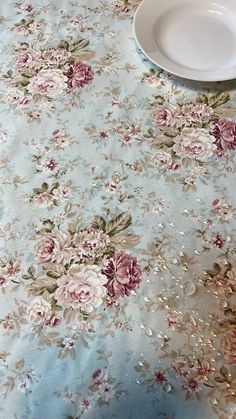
(39, 311)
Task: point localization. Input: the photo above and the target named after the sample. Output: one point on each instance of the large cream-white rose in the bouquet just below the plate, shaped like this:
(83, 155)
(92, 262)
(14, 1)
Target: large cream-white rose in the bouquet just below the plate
(194, 144)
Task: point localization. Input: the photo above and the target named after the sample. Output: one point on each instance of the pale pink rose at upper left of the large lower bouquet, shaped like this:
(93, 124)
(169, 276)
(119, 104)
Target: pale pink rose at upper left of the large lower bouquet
(55, 248)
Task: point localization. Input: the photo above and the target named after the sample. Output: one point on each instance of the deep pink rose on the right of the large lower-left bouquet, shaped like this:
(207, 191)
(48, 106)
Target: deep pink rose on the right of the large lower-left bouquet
(123, 273)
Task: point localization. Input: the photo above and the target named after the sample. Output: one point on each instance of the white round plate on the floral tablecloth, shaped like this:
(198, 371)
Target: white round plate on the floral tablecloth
(194, 39)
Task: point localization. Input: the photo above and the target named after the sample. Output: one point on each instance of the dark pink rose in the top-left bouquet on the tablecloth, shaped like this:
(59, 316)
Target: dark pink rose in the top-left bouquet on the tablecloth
(79, 74)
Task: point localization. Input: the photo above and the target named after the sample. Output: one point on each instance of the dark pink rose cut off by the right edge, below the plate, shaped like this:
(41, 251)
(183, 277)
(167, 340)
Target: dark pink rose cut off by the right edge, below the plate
(224, 132)
